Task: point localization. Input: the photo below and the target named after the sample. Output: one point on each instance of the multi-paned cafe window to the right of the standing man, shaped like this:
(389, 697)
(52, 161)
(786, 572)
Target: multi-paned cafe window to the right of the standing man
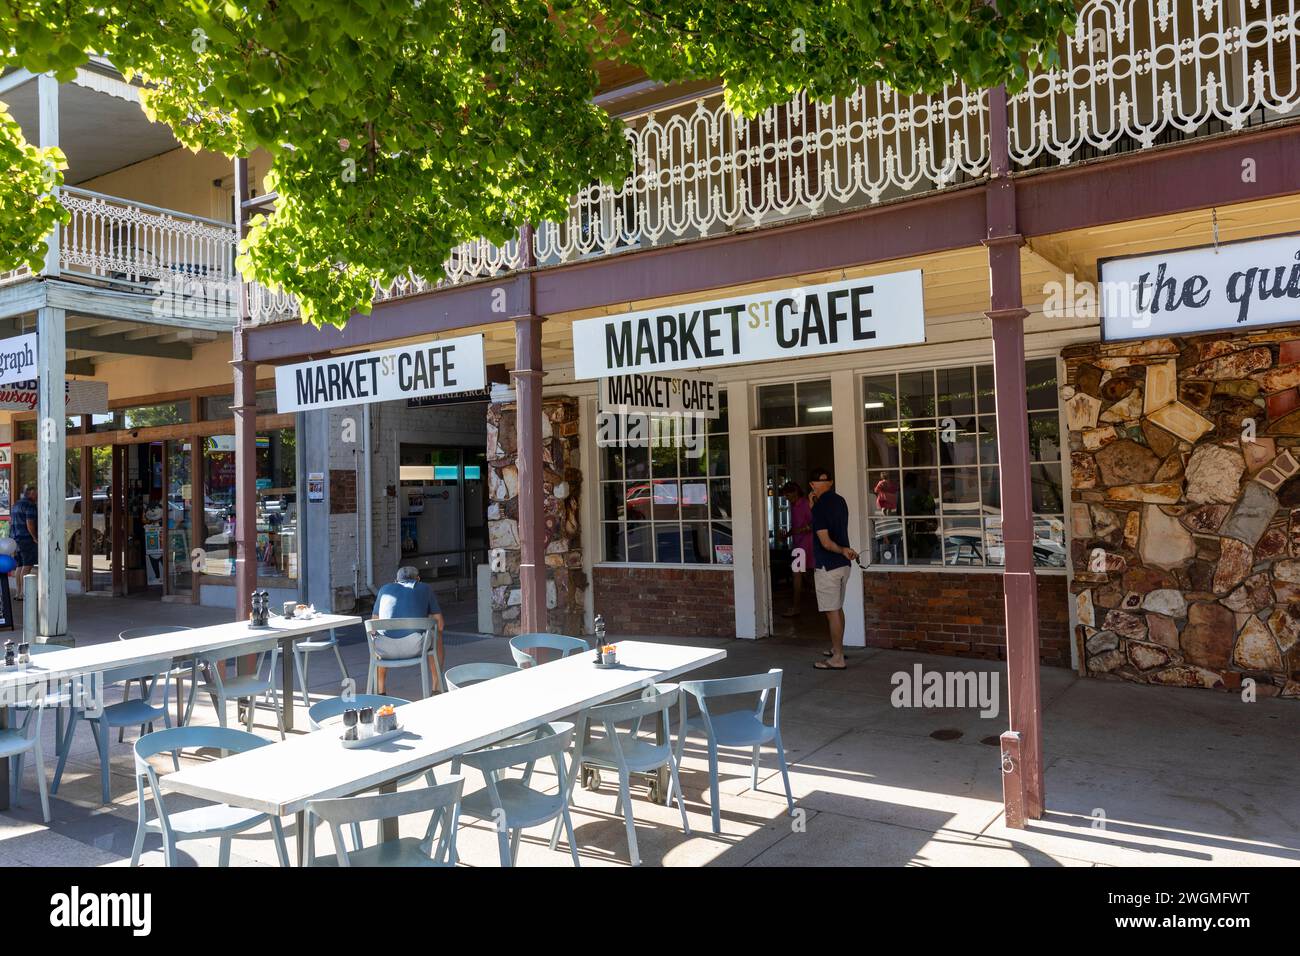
(934, 496)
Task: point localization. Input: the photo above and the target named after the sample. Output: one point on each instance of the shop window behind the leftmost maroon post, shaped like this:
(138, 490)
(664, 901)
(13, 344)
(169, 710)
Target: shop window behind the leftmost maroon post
(278, 507)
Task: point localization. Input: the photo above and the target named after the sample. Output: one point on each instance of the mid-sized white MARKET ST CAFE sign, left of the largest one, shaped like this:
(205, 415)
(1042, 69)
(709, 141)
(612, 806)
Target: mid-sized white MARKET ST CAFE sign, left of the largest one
(411, 371)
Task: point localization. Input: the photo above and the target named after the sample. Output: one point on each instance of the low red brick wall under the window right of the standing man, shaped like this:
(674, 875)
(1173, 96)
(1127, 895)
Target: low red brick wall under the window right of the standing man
(959, 615)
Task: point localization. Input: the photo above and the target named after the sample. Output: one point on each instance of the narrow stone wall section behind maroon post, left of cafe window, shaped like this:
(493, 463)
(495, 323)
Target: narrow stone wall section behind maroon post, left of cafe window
(566, 581)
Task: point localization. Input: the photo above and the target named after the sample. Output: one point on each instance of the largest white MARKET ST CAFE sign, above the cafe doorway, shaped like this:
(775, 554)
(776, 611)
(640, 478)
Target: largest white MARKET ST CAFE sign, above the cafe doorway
(825, 319)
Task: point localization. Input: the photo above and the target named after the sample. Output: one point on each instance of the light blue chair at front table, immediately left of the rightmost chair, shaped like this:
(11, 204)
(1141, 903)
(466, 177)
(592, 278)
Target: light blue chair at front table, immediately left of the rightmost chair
(627, 751)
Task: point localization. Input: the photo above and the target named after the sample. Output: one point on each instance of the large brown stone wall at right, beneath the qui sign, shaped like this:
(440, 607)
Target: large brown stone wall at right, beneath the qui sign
(1186, 509)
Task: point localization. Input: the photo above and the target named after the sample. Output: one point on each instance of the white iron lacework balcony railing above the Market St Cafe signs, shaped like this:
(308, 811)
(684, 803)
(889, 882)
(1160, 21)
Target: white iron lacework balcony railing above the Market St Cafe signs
(1134, 75)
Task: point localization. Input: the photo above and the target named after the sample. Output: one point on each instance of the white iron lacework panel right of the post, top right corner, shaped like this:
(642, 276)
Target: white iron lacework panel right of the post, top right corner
(1141, 73)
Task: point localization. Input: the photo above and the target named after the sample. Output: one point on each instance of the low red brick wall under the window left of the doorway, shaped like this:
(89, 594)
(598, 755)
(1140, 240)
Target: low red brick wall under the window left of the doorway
(666, 600)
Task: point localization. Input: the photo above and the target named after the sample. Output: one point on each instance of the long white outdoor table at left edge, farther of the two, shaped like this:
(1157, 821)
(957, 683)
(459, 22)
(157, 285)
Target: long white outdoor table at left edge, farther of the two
(47, 671)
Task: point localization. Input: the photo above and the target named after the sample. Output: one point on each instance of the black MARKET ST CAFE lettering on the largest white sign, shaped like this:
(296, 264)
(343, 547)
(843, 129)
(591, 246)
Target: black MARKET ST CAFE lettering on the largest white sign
(704, 334)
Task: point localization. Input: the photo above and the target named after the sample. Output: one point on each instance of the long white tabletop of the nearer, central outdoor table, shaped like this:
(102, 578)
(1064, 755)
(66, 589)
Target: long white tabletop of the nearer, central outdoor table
(281, 778)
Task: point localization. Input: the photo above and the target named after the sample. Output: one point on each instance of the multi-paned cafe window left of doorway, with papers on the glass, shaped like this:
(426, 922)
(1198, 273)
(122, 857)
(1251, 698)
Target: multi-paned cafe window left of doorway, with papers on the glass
(662, 500)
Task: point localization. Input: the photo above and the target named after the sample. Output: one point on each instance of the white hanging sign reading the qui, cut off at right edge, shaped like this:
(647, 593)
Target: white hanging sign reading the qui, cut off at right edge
(1237, 285)
